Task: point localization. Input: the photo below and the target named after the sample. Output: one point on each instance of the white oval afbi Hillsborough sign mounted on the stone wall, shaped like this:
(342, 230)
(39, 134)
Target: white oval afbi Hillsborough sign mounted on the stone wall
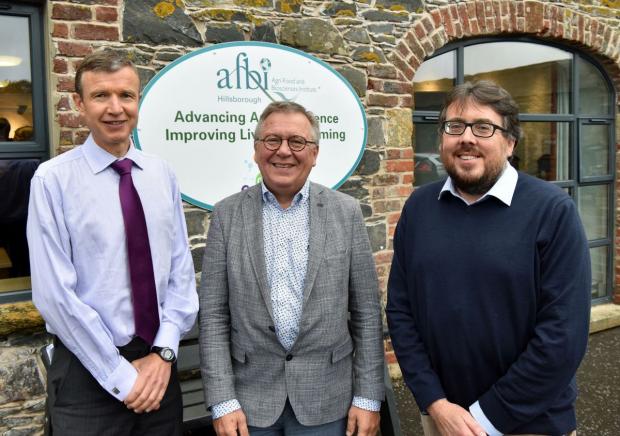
(199, 113)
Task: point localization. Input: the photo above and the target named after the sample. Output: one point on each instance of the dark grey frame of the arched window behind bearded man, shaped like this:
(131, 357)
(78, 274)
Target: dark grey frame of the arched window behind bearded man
(576, 121)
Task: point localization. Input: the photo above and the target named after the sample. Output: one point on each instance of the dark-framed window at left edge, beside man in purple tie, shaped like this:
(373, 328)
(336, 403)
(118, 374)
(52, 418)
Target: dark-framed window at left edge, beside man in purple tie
(23, 137)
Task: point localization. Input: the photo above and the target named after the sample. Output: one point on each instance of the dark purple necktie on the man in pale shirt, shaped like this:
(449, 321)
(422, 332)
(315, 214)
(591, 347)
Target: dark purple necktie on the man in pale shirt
(144, 295)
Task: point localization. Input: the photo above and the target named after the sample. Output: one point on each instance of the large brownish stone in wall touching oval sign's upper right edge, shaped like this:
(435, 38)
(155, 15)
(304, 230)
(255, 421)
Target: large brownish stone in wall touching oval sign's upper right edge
(314, 35)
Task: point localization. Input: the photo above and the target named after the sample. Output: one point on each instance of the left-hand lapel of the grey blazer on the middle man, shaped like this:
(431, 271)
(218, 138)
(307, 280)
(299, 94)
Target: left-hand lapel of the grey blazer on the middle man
(252, 210)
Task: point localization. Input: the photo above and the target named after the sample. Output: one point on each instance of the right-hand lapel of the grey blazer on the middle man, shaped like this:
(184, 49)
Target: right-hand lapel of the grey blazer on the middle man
(318, 234)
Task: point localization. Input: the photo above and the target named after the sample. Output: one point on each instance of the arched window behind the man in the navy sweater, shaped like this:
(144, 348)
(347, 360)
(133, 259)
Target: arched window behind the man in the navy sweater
(566, 104)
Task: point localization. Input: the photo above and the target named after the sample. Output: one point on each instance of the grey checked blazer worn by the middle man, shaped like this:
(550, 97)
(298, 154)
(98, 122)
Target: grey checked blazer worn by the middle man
(339, 350)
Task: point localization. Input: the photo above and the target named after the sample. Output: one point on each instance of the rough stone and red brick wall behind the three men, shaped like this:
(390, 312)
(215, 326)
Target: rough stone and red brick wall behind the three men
(376, 44)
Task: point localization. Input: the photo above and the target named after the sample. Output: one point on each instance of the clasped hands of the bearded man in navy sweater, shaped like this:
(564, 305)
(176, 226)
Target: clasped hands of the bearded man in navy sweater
(452, 420)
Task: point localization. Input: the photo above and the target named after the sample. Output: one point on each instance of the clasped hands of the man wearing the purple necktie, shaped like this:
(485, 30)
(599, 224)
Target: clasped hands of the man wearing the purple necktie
(151, 384)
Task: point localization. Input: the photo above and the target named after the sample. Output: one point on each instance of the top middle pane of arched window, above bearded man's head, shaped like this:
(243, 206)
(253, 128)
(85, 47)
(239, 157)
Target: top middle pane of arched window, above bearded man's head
(537, 76)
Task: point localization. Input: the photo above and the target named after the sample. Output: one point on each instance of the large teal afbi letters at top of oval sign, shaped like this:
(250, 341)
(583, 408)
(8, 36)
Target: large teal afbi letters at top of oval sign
(242, 77)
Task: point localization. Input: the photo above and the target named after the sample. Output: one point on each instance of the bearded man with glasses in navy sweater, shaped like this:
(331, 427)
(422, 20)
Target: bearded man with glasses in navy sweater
(489, 291)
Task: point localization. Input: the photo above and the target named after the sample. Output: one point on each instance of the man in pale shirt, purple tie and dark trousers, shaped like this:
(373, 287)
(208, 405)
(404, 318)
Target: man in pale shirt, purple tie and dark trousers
(112, 273)
